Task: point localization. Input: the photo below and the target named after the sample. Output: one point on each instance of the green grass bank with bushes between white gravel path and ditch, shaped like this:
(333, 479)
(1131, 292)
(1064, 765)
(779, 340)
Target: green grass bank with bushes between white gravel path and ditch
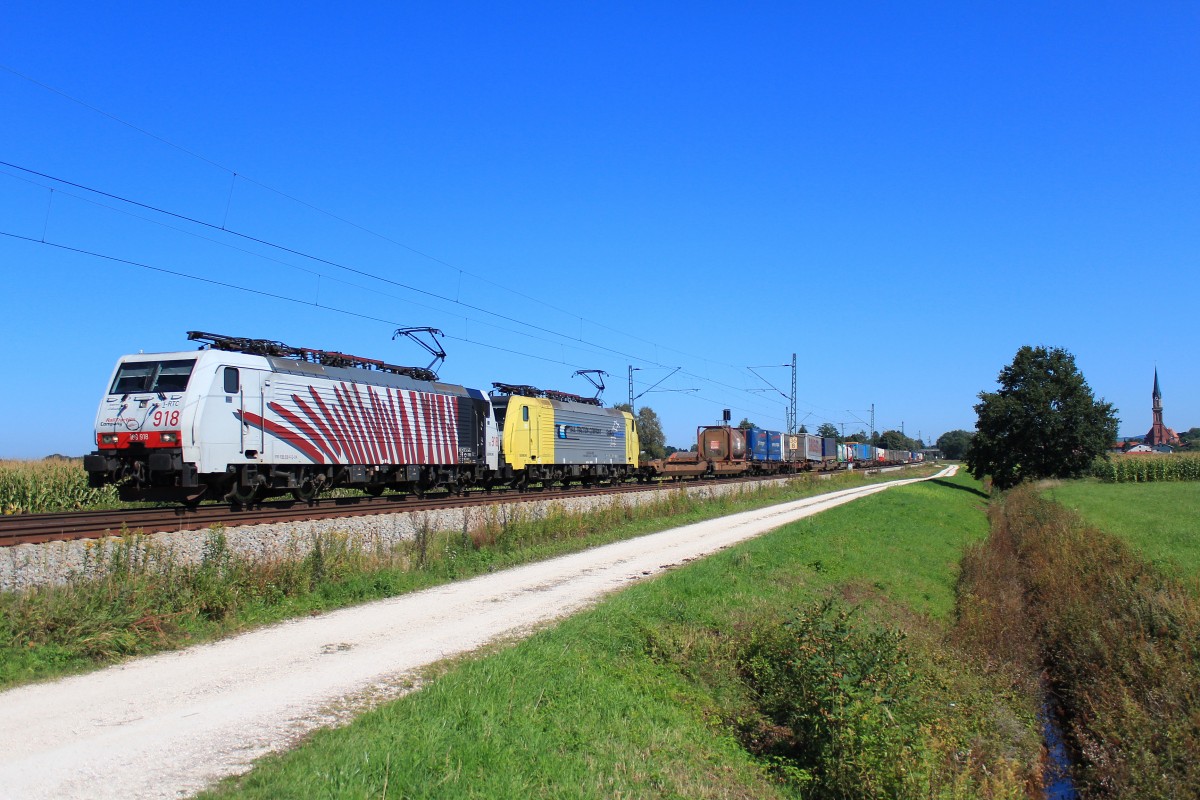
(815, 661)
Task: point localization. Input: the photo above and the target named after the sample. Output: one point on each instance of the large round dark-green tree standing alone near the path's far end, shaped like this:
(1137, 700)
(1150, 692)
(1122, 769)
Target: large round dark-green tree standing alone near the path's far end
(1043, 423)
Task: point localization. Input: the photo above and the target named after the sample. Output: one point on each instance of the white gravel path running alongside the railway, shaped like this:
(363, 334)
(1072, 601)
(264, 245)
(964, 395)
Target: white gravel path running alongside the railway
(170, 725)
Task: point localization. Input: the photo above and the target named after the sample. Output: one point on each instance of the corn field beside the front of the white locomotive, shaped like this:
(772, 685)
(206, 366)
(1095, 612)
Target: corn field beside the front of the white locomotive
(50, 485)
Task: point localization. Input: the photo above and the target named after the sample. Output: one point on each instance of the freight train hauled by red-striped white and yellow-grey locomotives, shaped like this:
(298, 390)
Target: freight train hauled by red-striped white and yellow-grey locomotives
(245, 419)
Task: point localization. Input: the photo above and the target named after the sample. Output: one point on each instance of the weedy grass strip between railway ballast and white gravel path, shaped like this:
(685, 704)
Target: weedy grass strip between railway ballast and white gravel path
(145, 600)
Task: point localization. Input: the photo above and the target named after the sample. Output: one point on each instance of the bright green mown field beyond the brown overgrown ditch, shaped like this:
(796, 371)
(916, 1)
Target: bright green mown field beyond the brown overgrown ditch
(1162, 521)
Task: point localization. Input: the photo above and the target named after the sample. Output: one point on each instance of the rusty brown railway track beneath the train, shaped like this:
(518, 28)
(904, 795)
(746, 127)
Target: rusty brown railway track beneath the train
(39, 528)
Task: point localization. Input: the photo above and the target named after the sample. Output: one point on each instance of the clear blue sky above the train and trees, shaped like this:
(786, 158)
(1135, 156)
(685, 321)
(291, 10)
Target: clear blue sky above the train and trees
(901, 195)
